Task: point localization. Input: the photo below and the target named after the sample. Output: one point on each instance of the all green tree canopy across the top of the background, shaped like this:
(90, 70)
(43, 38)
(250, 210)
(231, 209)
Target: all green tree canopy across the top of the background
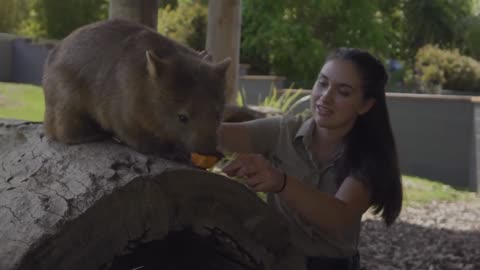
(283, 37)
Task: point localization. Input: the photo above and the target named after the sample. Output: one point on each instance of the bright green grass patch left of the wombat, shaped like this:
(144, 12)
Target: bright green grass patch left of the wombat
(21, 101)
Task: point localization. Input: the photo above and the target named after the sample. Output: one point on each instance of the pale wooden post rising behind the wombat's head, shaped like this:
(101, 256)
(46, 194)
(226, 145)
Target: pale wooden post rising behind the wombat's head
(223, 38)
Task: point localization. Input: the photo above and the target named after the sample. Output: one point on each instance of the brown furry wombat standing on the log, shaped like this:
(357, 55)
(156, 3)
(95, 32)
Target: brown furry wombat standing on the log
(121, 79)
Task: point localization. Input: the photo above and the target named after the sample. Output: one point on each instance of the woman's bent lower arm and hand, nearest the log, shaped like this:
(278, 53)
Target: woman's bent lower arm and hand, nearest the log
(327, 212)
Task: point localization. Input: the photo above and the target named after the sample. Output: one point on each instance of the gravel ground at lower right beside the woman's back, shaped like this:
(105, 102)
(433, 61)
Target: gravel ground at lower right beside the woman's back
(435, 236)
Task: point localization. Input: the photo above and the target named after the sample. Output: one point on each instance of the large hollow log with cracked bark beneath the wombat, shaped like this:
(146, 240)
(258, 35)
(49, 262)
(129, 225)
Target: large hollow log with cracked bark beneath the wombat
(91, 206)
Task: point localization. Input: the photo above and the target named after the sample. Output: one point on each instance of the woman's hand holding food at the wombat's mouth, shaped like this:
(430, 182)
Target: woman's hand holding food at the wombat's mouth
(256, 172)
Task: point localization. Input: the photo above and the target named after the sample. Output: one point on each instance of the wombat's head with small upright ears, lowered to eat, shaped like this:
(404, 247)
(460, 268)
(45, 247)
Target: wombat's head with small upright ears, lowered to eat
(188, 99)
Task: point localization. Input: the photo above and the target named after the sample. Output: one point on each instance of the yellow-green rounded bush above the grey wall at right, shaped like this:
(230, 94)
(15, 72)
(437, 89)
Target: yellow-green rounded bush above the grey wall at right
(447, 68)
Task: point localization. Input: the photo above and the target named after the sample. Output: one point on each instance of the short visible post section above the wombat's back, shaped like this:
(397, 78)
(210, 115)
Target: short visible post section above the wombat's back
(139, 11)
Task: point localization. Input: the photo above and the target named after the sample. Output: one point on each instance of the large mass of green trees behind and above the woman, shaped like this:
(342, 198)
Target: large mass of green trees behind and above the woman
(291, 38)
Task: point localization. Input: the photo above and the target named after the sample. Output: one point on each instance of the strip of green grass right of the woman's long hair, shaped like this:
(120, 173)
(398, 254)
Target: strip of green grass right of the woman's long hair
(419, 191)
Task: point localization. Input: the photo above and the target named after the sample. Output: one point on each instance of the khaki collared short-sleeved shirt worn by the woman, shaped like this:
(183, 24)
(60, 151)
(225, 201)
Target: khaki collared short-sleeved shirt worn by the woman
(286, 142)
